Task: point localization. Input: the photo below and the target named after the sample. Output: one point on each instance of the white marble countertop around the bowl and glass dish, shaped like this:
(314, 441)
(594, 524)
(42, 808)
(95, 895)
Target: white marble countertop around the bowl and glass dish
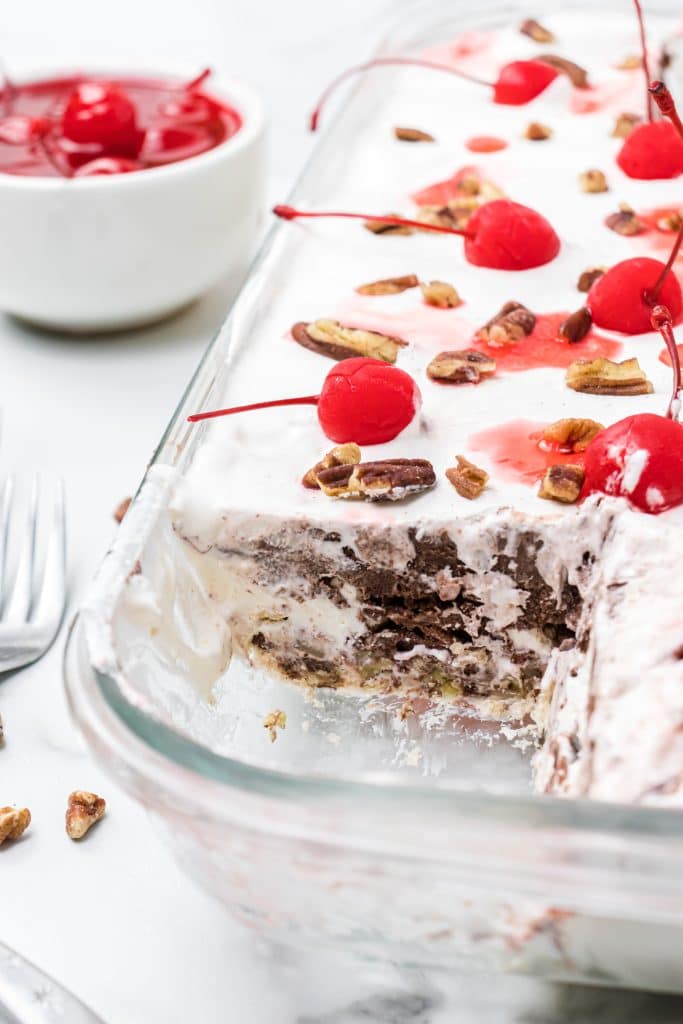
(113, 919)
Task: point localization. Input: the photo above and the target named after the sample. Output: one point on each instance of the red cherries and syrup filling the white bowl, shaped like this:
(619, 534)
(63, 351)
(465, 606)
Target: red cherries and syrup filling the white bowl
(89, 126)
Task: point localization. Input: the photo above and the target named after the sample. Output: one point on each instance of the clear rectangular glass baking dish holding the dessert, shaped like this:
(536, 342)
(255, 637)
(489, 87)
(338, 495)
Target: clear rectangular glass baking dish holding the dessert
(418, 844)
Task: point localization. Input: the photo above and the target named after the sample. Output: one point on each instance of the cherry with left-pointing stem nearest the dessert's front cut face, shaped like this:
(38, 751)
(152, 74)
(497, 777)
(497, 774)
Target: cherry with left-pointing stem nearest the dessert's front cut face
(362, 400)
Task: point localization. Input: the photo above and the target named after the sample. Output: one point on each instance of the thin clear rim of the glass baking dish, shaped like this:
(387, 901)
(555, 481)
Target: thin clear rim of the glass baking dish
(537, 812)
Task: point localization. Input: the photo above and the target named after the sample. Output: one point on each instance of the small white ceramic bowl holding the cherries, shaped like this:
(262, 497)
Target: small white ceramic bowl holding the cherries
(120, 251)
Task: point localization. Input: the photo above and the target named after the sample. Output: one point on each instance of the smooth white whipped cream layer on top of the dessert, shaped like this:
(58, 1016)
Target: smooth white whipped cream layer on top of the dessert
(255, 462)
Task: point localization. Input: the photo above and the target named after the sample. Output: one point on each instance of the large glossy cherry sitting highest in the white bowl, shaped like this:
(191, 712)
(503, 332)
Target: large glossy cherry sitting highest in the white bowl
(99, 114)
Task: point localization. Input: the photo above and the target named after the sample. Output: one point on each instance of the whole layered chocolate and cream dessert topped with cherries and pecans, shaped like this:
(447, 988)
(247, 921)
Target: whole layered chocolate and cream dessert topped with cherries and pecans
(451, 500)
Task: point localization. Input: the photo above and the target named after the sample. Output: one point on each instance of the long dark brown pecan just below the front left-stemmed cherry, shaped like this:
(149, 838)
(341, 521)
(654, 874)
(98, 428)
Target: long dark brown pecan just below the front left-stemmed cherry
(389, 480)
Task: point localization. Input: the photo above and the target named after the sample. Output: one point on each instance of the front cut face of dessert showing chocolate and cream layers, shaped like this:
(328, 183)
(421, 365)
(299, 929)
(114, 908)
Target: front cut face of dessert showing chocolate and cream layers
(469, 610)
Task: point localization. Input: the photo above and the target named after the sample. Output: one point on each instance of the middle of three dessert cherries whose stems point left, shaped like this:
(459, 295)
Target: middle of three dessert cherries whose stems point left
(501, 235)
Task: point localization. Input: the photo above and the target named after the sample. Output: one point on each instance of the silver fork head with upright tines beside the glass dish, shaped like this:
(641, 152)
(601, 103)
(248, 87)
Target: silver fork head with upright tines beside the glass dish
(32, 608)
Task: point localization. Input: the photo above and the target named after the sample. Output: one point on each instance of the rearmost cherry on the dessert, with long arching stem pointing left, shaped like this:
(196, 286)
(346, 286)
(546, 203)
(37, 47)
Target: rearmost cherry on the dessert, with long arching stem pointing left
(519, 82)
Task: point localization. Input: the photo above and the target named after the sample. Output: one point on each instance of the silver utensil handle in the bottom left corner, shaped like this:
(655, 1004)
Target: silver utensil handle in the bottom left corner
(30, 997)
